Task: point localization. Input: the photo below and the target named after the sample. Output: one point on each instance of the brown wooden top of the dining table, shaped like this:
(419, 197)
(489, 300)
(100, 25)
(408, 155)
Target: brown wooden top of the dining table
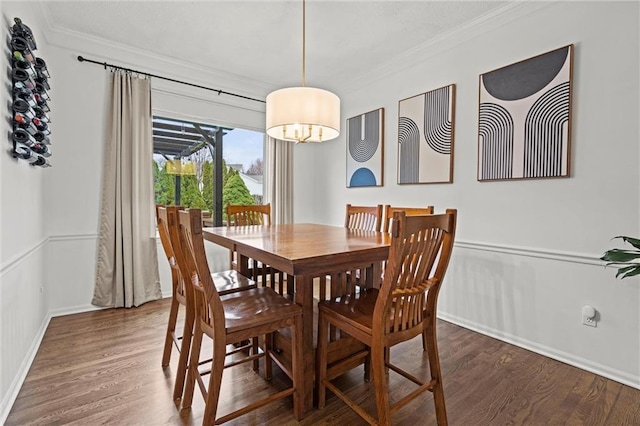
(301, 247)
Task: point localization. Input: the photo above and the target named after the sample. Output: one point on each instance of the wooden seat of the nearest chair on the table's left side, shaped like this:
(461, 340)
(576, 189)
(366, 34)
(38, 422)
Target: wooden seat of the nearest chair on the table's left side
(253, 307)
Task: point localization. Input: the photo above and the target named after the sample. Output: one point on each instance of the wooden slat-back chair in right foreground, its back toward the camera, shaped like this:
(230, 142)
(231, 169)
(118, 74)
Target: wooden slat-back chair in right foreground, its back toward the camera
(403, 307)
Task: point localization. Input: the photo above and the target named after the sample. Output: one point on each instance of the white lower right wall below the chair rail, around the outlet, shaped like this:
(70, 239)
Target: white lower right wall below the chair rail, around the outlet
(533, 298)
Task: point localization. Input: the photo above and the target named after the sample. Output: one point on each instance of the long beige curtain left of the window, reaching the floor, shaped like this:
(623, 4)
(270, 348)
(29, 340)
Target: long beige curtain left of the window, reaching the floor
(127, 267)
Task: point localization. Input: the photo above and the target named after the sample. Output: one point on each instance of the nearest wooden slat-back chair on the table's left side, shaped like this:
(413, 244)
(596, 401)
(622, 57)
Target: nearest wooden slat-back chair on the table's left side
(235, 318)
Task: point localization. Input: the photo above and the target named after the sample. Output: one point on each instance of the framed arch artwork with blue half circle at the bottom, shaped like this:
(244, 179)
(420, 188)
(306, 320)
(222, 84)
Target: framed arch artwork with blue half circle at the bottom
(365, 149)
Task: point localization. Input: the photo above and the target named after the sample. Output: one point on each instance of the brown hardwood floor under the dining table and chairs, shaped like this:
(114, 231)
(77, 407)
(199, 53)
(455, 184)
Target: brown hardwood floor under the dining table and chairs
(104, 367)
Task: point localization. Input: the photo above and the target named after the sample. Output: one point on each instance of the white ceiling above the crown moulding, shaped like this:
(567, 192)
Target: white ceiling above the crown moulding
(262, 40)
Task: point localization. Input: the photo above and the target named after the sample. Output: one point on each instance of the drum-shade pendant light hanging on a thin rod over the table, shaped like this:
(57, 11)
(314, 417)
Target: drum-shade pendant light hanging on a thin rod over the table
(303, 114)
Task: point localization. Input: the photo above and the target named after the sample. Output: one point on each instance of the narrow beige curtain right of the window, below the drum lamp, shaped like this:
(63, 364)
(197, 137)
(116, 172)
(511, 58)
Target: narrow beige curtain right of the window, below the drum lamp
(278, 180)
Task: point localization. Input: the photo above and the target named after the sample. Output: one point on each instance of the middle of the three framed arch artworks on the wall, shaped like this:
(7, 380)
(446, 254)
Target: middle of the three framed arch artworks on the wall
(425, 137)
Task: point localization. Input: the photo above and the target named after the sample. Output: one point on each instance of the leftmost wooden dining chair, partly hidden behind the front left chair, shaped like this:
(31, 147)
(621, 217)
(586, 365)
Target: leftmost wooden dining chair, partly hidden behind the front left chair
(226, 282)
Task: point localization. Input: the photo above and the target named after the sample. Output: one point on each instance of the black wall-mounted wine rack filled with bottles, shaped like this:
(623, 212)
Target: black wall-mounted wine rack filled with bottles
(30, 105)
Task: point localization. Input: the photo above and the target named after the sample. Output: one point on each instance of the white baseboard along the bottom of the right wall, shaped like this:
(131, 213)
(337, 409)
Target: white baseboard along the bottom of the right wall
(584, 364)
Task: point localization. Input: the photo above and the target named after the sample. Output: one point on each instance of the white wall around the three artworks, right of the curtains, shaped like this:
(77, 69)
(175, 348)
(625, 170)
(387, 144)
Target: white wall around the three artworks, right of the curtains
(526, 258)
